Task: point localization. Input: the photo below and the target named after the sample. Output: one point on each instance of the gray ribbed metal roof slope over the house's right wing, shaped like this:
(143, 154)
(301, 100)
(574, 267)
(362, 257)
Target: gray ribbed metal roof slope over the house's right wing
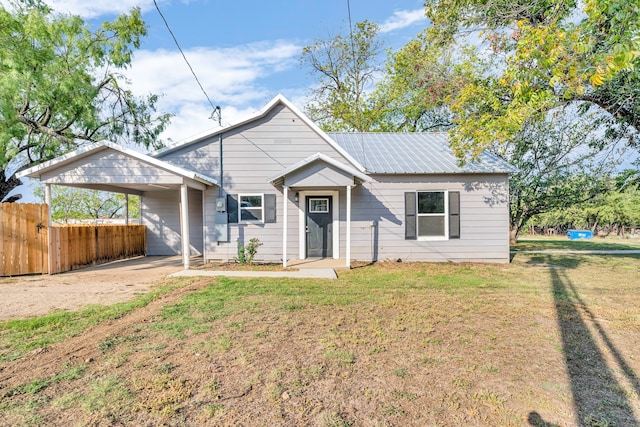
(412, 153)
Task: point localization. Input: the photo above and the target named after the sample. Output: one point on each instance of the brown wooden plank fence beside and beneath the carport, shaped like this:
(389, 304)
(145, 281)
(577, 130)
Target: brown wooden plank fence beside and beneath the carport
(25, 241)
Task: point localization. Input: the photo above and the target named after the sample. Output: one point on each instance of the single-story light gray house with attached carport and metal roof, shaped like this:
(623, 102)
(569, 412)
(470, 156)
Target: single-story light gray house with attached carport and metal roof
(304, 193)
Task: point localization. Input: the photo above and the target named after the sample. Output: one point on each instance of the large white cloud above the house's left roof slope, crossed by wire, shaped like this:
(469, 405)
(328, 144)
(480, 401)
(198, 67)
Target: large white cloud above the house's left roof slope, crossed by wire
(229, 76)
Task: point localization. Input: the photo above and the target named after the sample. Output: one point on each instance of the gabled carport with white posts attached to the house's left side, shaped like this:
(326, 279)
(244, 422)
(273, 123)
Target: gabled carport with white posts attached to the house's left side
(108, 167)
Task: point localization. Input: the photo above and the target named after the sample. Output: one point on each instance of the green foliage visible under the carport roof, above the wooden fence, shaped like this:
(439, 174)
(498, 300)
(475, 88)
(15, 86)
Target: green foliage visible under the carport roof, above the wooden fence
(68, 203)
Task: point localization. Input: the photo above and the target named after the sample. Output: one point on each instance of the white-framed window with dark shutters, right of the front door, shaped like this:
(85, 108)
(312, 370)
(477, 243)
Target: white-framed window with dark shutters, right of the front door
(432, 215)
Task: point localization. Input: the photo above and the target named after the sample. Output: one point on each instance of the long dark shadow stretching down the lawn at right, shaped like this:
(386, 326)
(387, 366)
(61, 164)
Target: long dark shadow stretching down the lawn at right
(598, 397)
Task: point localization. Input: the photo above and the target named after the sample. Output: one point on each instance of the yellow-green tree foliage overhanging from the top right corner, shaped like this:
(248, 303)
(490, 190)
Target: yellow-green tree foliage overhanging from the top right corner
(552, 53)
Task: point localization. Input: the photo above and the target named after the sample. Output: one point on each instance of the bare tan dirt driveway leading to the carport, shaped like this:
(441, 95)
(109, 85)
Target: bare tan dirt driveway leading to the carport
(118, 281)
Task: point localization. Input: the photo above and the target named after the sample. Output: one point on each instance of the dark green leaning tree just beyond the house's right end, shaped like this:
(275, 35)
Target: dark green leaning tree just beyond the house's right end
(560, 164)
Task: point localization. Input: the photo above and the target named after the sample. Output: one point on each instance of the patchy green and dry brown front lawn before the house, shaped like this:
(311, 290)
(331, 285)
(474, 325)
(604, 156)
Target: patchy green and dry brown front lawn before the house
(547, 340)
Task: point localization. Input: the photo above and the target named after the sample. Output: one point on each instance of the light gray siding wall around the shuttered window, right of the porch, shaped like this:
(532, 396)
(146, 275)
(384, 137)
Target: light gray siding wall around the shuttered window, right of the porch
(484, 219)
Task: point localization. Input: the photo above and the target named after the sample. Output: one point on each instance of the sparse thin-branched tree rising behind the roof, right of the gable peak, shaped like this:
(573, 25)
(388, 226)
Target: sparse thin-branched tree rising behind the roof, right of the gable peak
(346, 67)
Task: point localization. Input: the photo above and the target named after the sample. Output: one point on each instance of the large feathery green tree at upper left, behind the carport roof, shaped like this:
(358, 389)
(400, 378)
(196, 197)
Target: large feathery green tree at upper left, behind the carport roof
(60, 87)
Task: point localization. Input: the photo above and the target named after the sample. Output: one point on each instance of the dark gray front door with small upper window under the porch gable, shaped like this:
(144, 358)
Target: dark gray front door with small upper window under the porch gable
(319, 227)
